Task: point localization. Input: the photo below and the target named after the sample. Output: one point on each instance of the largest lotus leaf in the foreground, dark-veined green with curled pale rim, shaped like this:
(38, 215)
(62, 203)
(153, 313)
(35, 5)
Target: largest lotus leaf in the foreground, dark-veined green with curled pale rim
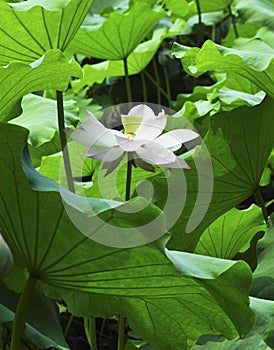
(141, 282)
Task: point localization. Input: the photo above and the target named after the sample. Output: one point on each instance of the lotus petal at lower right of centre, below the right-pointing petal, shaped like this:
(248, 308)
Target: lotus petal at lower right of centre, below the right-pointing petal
(155, 154)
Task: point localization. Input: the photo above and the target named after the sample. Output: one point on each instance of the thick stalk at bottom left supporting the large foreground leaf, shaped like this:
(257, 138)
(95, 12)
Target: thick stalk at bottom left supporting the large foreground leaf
(18, 323)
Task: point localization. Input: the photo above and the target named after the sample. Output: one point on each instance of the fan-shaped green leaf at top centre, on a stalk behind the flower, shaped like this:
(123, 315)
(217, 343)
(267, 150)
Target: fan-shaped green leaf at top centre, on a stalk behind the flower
(118, 35)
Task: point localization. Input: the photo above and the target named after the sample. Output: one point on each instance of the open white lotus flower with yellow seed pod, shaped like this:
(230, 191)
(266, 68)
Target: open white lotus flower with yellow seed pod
(140, 140)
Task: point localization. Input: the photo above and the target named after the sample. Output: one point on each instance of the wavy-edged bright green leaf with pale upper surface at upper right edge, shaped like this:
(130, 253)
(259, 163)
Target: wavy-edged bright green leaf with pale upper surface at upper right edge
(252, 60)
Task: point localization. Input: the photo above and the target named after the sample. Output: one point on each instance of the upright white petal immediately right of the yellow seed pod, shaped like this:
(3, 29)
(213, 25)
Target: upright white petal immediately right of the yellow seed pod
(151, 127)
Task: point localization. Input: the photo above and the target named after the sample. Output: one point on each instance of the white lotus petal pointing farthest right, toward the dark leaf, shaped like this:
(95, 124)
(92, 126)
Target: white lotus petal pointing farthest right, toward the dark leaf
(174, 139)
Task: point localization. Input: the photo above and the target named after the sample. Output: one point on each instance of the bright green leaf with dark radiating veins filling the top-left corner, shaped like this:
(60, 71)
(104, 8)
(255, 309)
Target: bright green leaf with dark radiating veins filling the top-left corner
(29, 29)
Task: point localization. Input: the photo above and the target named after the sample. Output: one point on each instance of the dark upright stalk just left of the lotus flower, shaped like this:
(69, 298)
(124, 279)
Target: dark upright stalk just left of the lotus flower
(63, 140)
